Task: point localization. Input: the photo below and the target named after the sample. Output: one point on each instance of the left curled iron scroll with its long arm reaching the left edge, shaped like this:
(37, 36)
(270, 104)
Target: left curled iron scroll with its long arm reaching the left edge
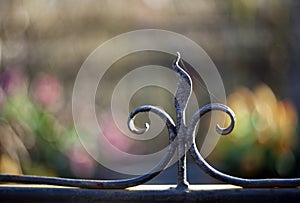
(108, 184)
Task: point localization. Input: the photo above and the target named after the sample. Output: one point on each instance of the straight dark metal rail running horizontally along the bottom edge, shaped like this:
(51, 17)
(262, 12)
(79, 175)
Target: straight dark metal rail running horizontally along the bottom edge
(205, 193)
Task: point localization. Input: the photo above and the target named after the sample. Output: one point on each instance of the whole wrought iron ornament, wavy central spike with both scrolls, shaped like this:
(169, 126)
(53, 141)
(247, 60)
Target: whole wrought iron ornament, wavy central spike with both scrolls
(181, 137)
